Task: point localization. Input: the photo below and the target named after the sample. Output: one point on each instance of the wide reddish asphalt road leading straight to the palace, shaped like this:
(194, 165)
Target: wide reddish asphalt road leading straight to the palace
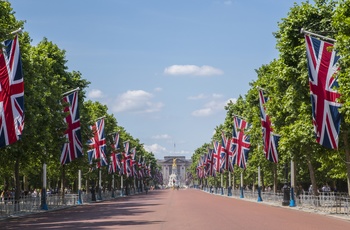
(178, 210)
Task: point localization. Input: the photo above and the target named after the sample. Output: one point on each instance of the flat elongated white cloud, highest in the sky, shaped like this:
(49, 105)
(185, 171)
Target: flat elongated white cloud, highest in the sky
(192, 70)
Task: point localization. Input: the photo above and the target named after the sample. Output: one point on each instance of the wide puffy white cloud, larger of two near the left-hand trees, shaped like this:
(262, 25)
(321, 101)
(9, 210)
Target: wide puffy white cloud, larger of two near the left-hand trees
(136, 101)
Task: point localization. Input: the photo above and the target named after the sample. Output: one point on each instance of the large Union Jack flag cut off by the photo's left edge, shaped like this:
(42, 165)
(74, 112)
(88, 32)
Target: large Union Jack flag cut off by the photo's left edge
(11, 93)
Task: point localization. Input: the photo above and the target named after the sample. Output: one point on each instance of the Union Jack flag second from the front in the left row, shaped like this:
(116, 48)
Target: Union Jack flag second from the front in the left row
(73, 148)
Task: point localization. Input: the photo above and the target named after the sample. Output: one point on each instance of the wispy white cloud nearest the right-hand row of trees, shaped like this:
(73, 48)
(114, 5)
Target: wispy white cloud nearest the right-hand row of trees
(213, 106)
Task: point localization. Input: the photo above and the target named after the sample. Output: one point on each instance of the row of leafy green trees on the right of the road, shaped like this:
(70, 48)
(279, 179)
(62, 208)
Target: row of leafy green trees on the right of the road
(285, 82)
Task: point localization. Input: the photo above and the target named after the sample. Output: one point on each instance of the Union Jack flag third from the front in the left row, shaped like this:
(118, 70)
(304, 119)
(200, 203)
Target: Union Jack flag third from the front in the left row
(97, 144)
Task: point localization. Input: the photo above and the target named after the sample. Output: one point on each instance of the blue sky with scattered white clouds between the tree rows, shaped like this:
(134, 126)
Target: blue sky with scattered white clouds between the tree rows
(164, 68)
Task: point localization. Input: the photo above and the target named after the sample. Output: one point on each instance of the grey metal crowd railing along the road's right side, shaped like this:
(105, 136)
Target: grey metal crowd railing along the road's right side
(328, 202)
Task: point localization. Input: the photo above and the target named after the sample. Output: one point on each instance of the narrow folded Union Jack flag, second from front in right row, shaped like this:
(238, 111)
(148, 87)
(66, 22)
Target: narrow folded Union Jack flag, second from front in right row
(270, 139)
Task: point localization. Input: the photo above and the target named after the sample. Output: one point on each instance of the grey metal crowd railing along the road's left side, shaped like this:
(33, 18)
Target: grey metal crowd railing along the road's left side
(29, 204)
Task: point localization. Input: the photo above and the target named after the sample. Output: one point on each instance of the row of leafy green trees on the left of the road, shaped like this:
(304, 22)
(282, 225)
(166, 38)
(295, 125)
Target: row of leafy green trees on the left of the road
(46, 78)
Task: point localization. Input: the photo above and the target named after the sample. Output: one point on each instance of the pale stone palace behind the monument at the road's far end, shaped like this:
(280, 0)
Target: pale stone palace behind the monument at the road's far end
(182, 165)
